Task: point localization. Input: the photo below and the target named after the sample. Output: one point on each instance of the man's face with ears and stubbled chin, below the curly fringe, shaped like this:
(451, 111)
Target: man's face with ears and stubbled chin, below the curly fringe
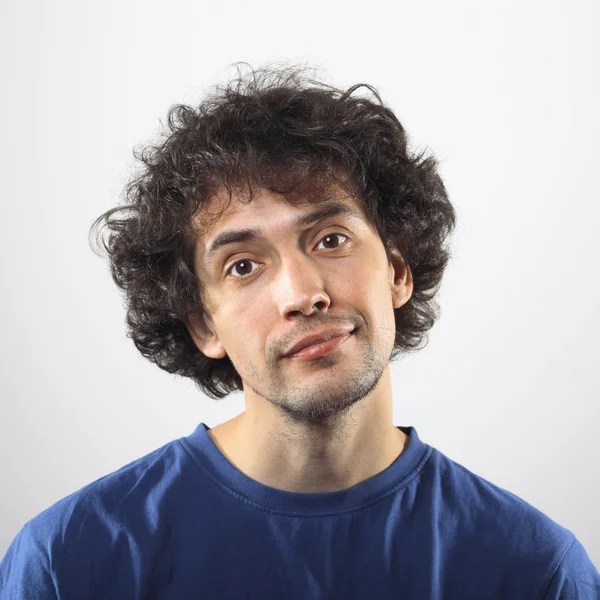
(263, 295)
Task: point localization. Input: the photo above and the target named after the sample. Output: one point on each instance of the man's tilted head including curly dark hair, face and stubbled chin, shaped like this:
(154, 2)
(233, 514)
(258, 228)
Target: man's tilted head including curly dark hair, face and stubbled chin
(265, 152)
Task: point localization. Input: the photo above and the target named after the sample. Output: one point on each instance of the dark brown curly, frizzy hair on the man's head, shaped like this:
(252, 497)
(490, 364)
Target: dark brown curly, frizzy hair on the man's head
(273, 129)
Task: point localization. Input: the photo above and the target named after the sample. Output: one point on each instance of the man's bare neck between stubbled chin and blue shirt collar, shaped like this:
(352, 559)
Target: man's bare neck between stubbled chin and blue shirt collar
(309, 459)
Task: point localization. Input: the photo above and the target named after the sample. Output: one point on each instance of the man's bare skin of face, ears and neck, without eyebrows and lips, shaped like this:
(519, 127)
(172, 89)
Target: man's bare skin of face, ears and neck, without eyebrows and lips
(309, 426)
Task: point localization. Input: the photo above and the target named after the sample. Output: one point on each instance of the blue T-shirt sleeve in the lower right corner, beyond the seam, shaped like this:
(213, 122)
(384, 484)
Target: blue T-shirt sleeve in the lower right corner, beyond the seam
(576, 577)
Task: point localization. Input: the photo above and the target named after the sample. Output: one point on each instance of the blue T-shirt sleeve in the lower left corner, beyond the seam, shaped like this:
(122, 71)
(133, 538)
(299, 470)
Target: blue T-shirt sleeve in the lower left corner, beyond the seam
(24, 573)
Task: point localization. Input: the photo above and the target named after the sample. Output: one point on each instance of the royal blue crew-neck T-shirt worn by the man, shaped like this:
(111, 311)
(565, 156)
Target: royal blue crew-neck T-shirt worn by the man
(183, 522)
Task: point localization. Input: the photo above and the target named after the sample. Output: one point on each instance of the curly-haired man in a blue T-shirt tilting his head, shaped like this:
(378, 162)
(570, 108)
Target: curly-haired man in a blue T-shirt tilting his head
(282, 241)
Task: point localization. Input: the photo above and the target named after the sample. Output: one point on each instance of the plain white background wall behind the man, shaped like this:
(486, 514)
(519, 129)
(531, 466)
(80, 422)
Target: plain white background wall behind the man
(505, 94)
